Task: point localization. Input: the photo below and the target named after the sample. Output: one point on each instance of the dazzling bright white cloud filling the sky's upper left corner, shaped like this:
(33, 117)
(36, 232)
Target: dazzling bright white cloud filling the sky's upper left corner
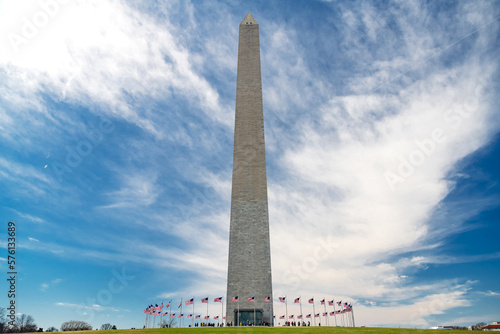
(115, 61)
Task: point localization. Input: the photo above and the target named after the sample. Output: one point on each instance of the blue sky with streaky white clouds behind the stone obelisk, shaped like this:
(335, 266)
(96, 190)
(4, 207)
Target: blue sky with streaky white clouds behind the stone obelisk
(382, 139)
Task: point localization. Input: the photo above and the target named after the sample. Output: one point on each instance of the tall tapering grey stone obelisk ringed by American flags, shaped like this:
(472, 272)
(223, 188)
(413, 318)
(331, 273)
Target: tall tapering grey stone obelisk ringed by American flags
(249, 267)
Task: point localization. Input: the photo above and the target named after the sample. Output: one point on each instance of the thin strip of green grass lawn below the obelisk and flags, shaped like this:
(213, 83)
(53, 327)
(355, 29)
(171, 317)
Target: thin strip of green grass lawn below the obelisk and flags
(280, 330)
